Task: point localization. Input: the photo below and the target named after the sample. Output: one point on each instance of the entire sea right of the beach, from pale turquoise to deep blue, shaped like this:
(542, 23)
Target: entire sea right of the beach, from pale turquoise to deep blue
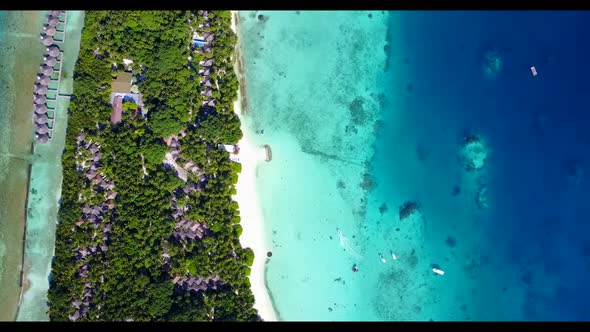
(358, 128)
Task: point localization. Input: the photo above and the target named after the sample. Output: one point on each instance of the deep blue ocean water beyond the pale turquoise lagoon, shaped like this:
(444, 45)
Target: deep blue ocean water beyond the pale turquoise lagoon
(535, 228)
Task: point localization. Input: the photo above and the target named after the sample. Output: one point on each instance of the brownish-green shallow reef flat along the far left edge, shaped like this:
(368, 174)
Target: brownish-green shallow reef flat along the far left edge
(22, 54)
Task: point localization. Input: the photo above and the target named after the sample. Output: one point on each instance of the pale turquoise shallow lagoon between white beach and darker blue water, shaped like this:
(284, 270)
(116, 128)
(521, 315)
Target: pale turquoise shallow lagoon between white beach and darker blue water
(312, 83)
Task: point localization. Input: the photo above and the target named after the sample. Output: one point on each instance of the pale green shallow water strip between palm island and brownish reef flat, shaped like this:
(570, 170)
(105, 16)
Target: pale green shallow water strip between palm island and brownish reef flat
(45, 189)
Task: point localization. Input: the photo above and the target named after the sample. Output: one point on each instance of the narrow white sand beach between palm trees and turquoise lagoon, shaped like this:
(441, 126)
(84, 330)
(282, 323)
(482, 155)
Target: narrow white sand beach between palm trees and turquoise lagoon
(253, 235)
